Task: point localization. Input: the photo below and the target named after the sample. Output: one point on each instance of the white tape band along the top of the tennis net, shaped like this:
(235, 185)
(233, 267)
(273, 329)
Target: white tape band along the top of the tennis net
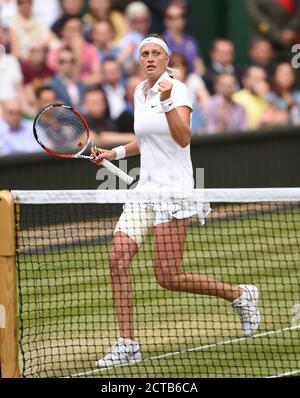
(220, 195)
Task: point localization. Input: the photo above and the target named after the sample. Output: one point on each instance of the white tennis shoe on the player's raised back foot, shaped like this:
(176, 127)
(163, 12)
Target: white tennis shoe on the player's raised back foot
(246, 307)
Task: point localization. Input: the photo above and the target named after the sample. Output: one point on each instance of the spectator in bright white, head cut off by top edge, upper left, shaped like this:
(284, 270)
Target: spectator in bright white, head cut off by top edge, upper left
(46, 12)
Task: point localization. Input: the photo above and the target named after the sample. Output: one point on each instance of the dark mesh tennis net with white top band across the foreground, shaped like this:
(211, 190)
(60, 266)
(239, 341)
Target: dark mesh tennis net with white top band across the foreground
(66, 309)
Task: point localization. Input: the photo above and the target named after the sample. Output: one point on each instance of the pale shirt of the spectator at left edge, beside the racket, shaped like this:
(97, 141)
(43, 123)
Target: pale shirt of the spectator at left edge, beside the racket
(19, 140)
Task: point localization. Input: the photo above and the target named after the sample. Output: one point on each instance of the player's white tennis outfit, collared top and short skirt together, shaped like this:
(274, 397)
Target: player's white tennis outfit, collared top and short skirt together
(165, 165)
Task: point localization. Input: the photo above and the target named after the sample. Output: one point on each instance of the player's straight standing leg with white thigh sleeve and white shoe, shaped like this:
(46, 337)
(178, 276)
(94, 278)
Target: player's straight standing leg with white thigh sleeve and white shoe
(131, 230)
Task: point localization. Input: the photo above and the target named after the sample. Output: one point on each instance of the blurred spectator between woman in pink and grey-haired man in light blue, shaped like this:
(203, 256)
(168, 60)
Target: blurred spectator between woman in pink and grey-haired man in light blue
(103, 37)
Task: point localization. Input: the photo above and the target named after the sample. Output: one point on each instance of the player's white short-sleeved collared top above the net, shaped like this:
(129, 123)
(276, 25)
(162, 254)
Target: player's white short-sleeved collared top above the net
(165, 165)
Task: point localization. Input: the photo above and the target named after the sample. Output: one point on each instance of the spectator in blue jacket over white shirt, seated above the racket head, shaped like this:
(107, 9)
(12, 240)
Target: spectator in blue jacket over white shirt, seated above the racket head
(69, 89)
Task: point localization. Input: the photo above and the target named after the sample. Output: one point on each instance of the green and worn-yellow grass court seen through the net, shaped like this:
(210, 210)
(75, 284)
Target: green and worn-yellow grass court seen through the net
(67, 318)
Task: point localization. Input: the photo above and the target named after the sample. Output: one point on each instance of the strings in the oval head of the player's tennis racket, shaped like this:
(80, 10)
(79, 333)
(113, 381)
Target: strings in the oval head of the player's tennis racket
(62, 131)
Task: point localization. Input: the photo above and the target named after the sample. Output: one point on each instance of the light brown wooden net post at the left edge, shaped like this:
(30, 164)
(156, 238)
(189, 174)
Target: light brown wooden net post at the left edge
(8, 295)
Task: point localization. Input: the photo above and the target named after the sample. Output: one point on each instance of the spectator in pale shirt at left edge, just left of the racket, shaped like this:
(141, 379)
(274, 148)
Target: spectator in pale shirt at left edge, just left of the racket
(16, 132)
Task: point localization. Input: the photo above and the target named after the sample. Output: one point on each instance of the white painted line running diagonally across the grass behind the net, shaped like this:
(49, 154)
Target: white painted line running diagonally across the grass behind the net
(194, 349)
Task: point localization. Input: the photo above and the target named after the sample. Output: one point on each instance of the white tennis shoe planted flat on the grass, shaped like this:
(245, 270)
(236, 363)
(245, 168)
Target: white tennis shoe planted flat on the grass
(124, 352)
